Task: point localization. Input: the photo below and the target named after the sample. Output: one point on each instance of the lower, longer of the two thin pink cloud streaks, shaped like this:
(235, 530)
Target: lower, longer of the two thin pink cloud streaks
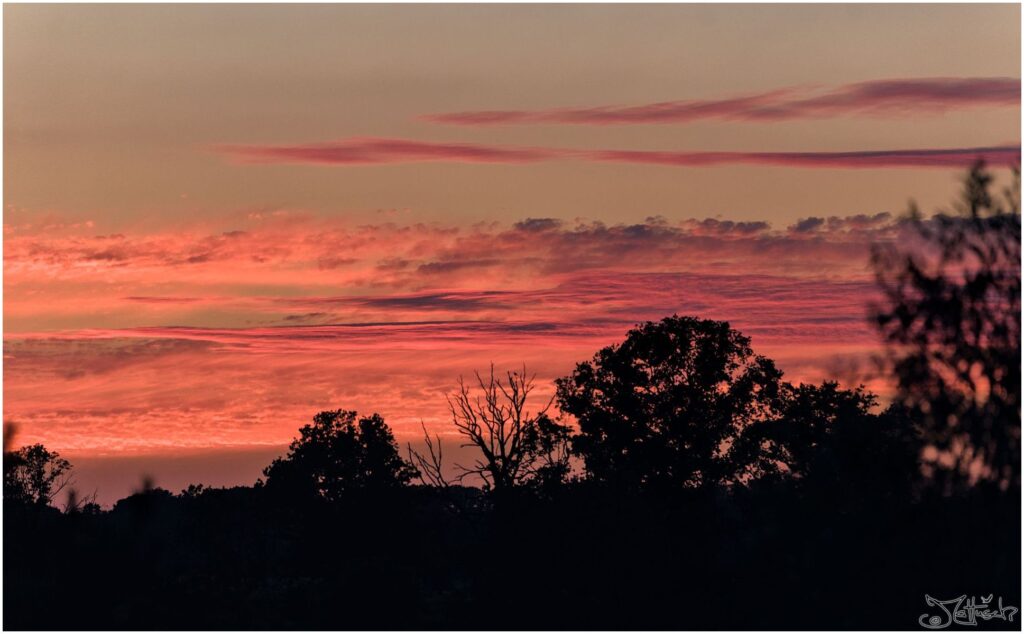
(385, 151)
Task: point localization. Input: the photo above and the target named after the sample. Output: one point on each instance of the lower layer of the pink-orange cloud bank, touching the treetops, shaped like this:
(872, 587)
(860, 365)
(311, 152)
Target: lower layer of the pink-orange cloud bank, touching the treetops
(110, 391)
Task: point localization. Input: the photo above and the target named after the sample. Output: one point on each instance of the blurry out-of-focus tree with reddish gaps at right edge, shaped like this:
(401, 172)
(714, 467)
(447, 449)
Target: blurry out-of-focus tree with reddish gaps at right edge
(952, 322)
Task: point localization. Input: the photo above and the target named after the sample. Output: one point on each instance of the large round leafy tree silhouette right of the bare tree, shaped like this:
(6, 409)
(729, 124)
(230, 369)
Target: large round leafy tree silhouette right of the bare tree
(666, 407)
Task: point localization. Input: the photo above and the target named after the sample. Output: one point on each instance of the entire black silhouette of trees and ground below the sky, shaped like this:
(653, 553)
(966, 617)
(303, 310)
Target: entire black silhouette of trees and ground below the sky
(676, 481)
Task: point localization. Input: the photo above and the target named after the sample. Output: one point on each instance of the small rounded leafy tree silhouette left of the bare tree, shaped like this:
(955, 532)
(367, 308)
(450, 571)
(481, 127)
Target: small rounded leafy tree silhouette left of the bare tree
(338, 454)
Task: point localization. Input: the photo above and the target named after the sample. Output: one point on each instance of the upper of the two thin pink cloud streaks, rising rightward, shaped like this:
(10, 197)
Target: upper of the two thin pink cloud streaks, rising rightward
(890, 98)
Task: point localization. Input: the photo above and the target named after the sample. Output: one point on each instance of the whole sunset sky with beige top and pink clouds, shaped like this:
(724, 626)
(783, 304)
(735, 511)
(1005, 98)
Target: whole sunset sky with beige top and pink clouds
(222, 220)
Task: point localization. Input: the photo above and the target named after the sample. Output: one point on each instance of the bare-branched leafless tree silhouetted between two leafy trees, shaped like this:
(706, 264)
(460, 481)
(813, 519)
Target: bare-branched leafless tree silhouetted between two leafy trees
(517, 447)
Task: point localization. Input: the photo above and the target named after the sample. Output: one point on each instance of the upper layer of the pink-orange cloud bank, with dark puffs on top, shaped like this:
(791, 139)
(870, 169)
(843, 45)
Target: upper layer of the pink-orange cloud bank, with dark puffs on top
(193, 275)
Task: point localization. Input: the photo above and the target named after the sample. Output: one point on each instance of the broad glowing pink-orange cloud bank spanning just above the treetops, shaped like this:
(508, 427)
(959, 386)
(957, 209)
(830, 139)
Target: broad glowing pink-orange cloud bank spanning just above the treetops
(160, 351)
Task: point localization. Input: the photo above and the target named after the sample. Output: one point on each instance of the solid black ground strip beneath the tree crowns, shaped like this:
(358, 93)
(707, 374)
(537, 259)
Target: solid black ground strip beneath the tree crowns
(578, 559)
